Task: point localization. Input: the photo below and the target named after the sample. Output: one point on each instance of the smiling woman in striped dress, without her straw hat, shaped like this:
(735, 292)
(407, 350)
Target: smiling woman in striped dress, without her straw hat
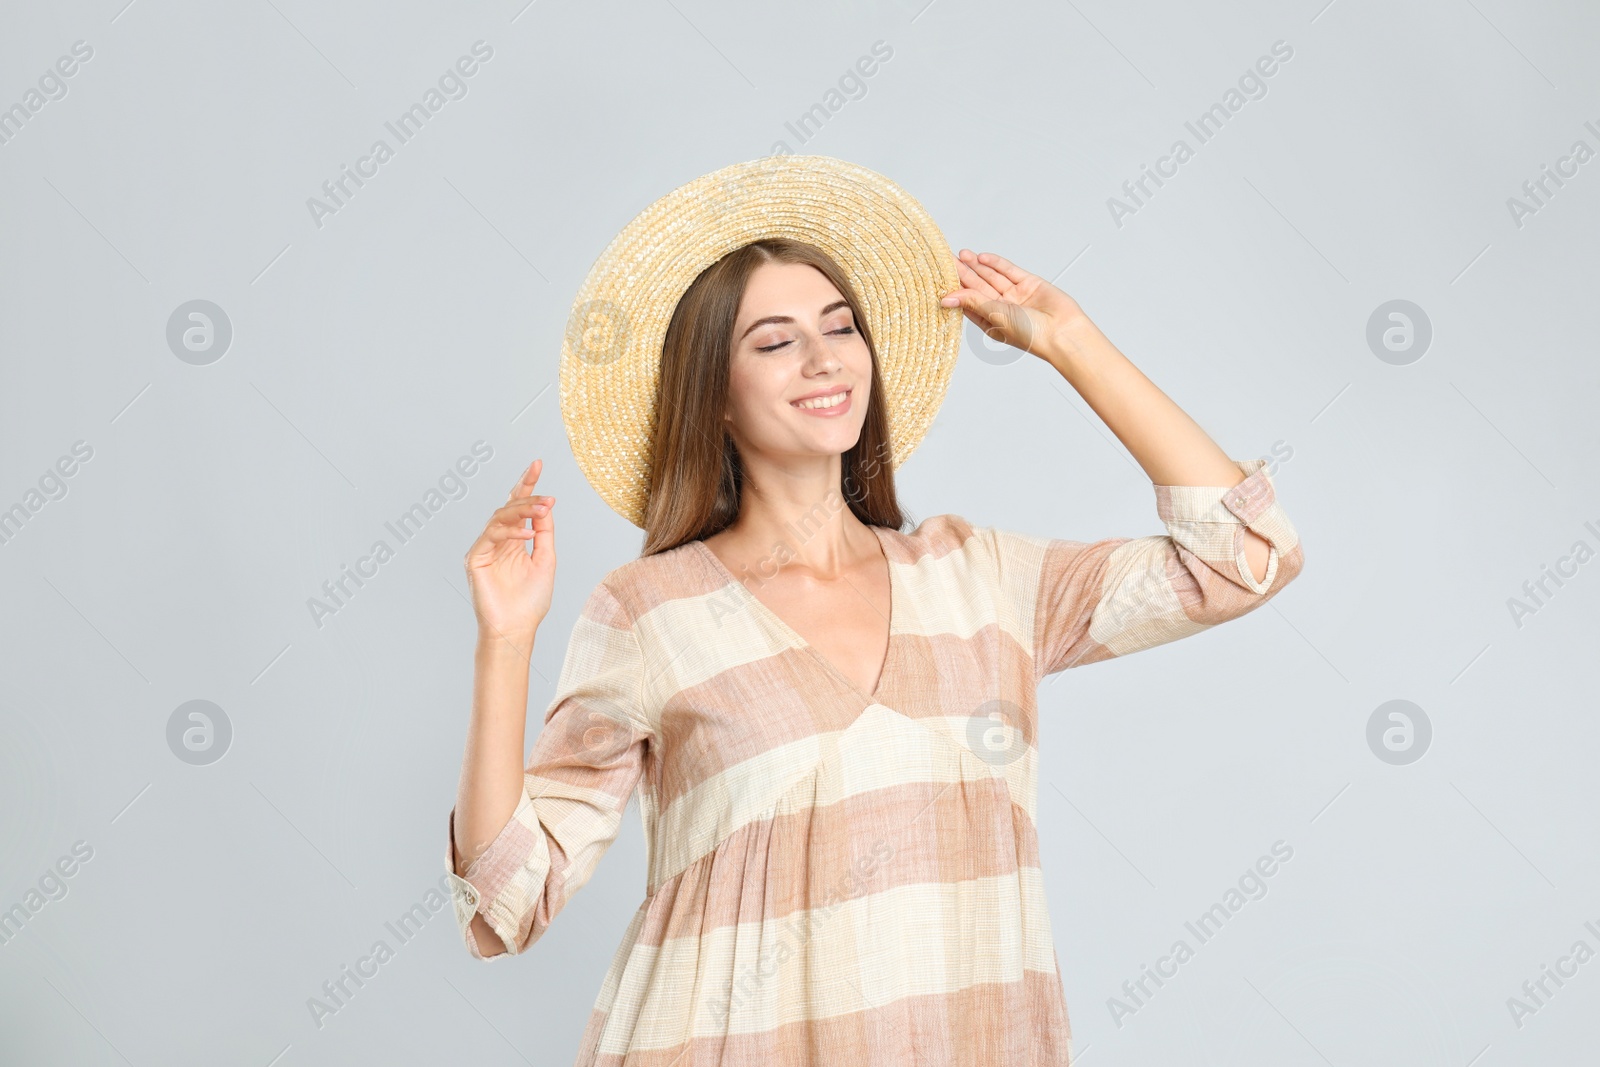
(831, 724)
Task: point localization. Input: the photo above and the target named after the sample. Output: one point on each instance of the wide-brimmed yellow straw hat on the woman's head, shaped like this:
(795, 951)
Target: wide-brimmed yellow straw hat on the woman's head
(878, 233)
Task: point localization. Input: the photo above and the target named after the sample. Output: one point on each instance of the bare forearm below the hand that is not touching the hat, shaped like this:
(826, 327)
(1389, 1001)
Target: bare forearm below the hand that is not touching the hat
(492, 770)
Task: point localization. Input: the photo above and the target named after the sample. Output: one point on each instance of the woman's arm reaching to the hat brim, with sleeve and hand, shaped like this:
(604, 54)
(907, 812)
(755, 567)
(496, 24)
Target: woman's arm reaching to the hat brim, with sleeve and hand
(1228, 546)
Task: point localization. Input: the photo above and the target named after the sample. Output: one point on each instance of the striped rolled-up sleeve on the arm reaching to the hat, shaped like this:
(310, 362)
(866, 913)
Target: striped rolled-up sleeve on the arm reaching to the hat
(1084, 602)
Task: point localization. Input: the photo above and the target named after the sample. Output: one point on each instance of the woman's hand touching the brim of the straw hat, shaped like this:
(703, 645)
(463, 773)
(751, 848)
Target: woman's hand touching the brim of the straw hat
(1014, 306)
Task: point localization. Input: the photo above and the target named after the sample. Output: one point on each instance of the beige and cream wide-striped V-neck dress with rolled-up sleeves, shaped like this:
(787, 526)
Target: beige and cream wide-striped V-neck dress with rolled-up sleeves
(834, 876)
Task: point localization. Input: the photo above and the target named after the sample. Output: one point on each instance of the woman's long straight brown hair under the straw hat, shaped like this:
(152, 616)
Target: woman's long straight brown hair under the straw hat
(697, 476)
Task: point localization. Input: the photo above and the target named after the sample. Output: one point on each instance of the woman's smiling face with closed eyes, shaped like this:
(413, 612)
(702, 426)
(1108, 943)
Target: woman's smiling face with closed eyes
(794, 338)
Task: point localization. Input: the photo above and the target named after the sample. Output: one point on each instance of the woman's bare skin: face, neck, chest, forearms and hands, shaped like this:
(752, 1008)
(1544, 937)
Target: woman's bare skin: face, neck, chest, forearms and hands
(833, 588)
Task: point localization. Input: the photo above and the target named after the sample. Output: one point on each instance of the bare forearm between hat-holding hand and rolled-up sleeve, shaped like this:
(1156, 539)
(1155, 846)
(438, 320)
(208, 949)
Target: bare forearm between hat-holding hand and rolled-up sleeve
(1167, 444)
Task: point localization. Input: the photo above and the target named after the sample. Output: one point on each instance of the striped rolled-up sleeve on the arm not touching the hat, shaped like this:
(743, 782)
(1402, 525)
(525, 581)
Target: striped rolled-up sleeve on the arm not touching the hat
(585, 765)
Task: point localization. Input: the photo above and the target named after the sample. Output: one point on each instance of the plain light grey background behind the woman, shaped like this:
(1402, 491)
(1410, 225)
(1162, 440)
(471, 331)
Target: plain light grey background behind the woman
(369, 354)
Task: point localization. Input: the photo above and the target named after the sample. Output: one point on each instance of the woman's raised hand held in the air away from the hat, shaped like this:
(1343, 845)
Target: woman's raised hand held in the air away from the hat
(511, 588)
